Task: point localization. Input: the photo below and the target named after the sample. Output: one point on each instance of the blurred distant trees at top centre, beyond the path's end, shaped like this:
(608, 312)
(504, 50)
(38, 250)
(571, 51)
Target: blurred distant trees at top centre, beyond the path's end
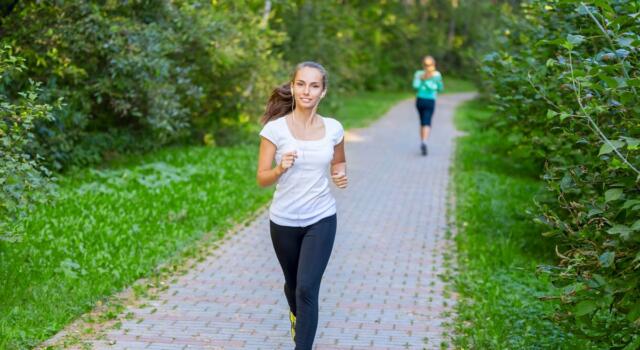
(377, 45)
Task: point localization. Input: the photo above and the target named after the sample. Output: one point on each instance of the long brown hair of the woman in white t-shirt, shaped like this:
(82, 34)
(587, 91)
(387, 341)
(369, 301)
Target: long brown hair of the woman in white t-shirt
(281, 100)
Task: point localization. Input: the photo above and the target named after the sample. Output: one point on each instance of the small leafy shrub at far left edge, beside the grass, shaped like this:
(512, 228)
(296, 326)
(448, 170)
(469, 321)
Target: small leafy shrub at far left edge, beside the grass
(23, 179)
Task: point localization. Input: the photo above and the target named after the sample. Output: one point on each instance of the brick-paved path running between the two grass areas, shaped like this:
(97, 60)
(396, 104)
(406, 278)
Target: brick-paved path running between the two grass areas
(380, 290)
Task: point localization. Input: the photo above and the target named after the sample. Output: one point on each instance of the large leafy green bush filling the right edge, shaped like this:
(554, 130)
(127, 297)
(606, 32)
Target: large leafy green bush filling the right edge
(565, 85)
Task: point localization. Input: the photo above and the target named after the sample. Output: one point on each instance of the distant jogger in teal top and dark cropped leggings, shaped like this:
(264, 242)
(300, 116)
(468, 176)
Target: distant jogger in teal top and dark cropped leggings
(427, 82)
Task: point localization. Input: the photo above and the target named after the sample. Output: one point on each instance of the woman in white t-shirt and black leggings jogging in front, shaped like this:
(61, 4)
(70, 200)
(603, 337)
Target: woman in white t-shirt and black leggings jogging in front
(302, 215)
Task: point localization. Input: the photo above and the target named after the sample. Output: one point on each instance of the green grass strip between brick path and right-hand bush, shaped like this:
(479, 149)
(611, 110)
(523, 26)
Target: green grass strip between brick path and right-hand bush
(499, 246)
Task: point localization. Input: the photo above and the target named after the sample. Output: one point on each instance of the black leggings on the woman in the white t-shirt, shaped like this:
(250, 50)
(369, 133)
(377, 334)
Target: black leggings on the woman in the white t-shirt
(303, 253)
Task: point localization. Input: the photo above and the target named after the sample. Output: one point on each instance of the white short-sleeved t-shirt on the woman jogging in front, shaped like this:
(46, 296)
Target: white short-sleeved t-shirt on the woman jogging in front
(302, 194)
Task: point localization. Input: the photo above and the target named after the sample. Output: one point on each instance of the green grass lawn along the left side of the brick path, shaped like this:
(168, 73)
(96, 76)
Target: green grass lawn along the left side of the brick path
(112, 225)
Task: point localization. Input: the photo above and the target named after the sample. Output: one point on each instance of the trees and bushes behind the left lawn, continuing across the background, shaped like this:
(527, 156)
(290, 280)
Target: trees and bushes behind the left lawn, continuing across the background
(139, 75)
